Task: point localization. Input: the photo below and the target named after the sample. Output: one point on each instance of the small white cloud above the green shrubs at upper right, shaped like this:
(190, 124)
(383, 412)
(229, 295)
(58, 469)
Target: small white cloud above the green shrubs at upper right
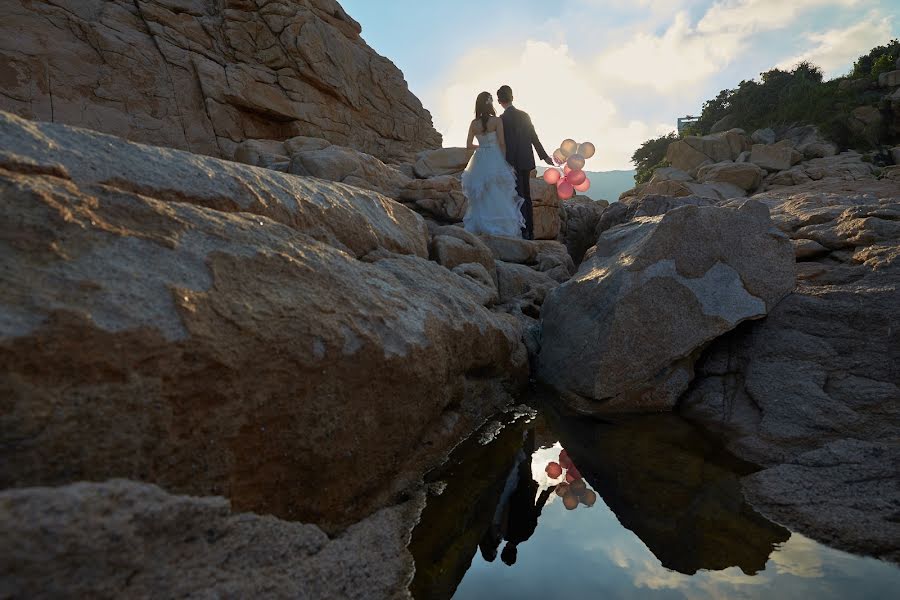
(835, 50)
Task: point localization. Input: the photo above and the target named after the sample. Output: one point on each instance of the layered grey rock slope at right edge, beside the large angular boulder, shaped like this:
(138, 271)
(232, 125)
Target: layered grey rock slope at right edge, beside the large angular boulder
(812, 390)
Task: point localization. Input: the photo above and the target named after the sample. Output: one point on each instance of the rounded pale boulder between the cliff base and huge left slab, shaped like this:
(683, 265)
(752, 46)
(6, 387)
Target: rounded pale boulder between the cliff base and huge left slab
(345, 165)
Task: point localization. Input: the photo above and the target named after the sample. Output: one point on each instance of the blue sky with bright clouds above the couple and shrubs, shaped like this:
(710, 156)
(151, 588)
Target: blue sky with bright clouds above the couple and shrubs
(613, 72)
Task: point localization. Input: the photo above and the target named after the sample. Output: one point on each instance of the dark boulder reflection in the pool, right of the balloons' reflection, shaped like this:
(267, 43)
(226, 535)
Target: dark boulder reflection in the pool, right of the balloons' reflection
(678, 491)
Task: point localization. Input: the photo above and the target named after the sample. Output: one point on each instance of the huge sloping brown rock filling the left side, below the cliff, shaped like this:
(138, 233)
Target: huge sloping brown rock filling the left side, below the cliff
(178, 319)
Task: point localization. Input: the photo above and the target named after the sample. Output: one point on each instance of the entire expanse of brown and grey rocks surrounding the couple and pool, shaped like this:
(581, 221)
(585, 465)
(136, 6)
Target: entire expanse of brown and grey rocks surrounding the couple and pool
(228, 359)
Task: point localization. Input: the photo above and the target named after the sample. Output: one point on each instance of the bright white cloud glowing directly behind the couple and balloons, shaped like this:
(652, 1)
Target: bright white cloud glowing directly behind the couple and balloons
(558, 93)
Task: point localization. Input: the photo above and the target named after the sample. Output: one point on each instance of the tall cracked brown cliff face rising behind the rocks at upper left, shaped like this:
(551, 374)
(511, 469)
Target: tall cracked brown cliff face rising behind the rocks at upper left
(205, 77)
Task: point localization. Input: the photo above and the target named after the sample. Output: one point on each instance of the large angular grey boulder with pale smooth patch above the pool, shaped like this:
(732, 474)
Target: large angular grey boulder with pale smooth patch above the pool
(623, 333)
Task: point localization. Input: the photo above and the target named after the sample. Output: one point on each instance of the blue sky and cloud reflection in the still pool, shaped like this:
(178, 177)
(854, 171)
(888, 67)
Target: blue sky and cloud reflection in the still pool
(587, 553)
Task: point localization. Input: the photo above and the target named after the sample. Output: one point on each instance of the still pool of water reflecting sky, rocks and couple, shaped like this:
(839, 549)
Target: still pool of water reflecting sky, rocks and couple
(539, 504)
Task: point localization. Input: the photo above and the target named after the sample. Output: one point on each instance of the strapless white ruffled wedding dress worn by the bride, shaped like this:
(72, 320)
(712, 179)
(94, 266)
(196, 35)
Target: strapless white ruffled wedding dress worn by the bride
(489, 184)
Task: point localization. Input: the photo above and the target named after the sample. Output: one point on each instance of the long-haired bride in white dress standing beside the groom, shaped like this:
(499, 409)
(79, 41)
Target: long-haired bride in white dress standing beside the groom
(489, 182)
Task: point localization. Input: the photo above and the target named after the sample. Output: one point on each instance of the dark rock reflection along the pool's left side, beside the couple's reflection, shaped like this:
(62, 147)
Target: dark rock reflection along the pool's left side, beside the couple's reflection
(454, 523)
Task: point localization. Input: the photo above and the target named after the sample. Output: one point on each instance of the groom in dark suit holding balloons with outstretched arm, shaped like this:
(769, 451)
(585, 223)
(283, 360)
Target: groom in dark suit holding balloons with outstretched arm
(520, 137)
